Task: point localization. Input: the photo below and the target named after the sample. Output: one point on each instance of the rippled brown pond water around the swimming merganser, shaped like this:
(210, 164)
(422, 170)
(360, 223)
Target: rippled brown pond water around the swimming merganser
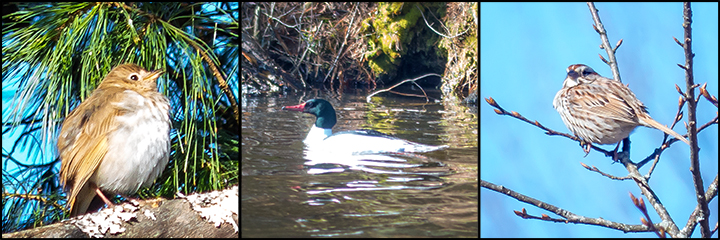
(286, 192)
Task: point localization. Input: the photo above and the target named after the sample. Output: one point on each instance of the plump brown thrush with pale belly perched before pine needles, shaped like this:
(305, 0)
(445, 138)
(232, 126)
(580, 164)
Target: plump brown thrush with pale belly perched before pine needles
(117, 140)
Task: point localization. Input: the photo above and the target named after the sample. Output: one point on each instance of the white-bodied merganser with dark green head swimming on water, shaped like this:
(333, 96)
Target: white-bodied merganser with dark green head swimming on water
(355, 141)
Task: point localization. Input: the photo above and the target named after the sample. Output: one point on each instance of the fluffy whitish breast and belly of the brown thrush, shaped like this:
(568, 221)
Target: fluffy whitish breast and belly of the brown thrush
(138, 147)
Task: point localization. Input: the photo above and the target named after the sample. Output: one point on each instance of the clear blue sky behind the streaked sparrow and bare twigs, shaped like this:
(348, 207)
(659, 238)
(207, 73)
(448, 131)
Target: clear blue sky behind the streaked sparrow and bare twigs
(524, 51)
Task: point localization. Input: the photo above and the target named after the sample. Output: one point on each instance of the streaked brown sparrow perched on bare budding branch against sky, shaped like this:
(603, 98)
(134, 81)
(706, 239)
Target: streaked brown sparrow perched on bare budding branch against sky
(601, 110)
